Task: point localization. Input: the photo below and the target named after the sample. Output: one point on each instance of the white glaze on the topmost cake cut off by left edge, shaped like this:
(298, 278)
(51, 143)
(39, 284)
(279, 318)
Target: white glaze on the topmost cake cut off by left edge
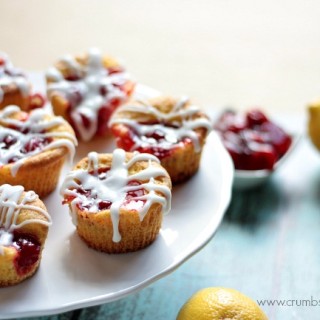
(10, 75)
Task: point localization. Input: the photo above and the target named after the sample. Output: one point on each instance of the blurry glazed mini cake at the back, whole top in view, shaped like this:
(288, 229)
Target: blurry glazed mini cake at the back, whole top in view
(85, 90)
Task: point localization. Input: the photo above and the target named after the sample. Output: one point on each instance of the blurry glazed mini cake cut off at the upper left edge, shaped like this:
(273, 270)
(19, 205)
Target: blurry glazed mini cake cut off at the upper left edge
(15, 88)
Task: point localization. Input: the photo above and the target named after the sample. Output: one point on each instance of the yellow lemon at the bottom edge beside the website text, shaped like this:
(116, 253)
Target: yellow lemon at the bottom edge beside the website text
(220, 304)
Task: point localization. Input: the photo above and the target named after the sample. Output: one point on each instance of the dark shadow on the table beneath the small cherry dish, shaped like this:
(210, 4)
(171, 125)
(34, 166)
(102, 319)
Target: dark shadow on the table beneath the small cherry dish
(251, 208)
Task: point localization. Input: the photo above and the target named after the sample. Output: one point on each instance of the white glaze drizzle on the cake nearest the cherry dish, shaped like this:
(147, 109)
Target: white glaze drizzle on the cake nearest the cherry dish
(183, 128)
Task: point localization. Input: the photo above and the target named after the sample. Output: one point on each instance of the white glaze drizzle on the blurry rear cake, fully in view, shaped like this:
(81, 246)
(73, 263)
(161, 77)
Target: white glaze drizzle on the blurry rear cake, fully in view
(93, 77)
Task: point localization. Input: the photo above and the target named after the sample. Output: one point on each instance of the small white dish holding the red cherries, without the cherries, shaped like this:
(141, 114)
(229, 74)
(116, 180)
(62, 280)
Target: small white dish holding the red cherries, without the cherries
(247, 179)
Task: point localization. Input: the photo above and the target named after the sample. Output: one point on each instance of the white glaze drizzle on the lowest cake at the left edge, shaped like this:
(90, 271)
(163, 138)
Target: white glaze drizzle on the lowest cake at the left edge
(12, 202)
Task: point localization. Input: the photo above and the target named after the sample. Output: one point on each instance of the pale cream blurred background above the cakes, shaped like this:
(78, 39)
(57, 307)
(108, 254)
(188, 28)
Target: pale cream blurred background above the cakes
(219, 52)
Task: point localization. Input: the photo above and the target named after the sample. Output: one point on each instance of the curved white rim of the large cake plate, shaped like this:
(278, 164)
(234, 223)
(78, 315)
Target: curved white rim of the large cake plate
(200, 241)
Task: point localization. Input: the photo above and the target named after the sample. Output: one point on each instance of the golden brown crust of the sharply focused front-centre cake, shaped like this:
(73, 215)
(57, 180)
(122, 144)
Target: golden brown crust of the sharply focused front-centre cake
(96, 229)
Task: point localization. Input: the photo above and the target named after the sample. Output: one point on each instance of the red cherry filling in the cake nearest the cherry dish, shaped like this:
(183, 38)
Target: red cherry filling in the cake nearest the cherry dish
(155, 143)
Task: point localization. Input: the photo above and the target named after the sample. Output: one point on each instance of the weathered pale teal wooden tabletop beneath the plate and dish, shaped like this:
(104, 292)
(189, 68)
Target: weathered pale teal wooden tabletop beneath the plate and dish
(267, 247)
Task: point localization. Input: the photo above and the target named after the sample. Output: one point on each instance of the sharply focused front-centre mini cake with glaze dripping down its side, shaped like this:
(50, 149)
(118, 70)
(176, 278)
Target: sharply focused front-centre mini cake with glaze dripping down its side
(117, 200)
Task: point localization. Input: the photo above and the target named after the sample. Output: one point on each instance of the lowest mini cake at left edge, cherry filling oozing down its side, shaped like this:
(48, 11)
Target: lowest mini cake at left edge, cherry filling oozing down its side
(24, 223)
